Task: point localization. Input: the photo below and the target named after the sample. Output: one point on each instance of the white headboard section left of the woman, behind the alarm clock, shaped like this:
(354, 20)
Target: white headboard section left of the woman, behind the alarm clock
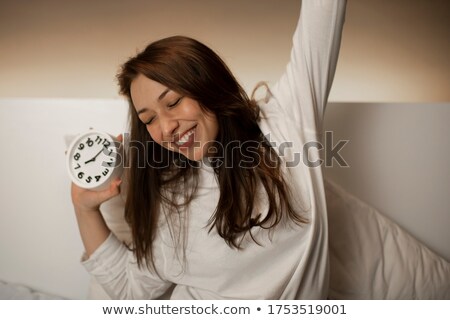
(39, 242)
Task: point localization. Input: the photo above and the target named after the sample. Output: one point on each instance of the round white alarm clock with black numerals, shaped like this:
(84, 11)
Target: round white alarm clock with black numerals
(94, 159)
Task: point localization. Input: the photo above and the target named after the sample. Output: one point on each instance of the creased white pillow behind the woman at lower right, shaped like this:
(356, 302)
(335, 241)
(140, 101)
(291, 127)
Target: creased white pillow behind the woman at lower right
(371, 257)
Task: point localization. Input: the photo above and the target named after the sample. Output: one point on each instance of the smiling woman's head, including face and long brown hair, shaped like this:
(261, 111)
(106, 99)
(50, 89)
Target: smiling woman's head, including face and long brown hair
(188, 117)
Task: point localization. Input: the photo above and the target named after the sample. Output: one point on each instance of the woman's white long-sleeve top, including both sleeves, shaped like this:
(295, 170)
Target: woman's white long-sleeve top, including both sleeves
(290, 261)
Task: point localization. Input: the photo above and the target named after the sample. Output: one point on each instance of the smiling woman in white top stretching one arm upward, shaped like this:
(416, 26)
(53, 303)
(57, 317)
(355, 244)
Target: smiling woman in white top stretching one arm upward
(217, 201)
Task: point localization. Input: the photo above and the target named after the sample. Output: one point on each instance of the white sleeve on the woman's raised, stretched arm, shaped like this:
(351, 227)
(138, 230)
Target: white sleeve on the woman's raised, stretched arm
(302, 91)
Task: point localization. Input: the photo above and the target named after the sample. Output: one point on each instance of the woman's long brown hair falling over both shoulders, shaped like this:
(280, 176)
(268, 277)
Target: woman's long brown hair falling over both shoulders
(191, 69)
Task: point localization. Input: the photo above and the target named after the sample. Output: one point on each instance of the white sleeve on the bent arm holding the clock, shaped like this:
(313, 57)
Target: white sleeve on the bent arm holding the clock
(115, 269)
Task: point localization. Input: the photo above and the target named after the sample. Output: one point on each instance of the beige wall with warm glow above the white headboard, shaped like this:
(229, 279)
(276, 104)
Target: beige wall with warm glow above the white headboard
(393, 50)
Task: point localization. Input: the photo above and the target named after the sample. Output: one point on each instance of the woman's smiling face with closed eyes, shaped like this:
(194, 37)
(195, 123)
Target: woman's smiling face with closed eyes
(175, 122)
